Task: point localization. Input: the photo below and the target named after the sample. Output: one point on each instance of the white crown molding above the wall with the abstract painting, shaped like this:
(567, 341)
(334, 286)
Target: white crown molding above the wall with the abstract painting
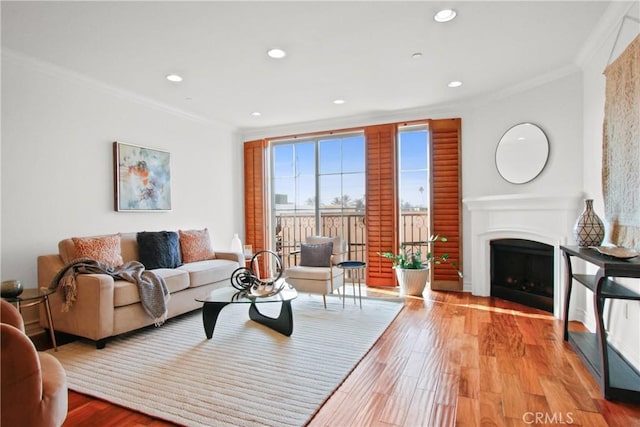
(59, 72)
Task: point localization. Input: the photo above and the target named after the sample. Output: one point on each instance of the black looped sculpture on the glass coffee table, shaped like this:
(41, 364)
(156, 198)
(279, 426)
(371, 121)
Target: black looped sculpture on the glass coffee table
(249, 282)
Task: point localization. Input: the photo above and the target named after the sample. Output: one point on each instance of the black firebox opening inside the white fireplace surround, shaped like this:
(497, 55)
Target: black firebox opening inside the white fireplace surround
(522, 272)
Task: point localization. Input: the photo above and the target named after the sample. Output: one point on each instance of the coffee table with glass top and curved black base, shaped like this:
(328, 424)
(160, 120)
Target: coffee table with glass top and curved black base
(216, 300)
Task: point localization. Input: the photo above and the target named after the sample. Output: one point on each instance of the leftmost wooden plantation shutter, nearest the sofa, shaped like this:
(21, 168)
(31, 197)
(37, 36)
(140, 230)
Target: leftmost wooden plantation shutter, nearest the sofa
(254, 194)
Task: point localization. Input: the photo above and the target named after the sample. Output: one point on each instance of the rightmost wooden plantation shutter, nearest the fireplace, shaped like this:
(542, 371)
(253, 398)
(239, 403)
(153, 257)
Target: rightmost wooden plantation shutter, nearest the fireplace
(445, 201)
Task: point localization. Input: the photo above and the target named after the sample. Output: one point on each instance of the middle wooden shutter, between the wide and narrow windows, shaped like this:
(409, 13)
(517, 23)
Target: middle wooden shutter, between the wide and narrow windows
(381, 209)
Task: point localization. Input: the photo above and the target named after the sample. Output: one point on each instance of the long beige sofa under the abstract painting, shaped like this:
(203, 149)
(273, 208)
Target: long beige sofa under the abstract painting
(105, 307)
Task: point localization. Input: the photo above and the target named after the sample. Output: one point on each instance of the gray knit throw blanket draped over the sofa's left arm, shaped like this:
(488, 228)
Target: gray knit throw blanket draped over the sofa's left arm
(153, 290)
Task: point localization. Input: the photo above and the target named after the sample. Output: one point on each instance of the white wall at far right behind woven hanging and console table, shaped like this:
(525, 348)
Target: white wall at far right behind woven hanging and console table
(623, 317)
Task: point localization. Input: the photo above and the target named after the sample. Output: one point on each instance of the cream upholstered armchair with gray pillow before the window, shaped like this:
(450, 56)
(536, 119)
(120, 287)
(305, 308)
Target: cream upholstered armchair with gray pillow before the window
(316, 270)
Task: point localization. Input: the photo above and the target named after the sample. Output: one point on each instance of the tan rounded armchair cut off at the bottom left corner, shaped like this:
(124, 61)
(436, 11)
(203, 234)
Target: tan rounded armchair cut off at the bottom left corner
(33, 384)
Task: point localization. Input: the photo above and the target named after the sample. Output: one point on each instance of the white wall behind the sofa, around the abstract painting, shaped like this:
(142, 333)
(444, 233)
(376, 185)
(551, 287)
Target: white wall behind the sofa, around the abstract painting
(57, 164)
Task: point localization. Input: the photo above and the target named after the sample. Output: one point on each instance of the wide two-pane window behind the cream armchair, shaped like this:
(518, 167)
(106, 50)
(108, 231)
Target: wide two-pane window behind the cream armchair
(318, 188)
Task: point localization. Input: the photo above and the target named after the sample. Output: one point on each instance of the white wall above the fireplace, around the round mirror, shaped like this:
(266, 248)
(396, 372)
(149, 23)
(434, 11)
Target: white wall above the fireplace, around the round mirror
(556, 107)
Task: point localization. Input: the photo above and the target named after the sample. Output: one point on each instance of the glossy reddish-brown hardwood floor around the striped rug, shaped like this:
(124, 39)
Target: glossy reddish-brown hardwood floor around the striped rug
(450, 359)
